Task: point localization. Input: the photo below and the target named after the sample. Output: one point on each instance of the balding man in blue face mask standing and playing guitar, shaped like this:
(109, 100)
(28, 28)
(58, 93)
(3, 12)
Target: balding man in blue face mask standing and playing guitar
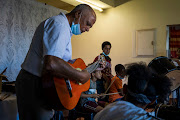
(48, 55)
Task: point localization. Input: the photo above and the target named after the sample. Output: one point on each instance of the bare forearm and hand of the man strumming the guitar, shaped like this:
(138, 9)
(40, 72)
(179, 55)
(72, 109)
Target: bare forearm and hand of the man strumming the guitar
(61, 69)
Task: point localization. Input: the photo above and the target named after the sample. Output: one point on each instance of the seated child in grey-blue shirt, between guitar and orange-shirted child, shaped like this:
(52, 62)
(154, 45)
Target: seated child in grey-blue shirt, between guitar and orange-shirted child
(87, 101)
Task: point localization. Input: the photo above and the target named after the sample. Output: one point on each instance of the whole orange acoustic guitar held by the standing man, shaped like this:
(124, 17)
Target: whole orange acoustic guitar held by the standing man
(65, 93)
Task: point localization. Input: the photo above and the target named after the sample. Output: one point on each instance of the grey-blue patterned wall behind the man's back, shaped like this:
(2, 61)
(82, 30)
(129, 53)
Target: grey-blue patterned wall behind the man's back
(18, 21)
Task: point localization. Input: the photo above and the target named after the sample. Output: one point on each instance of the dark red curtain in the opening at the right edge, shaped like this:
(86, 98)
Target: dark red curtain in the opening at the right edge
(174, 41)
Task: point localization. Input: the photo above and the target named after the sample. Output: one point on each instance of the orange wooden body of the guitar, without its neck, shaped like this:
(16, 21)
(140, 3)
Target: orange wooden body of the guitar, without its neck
(60, 98)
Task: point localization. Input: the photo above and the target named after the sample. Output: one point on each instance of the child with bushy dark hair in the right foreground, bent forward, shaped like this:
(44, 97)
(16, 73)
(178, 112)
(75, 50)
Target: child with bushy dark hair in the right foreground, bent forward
(144, 87)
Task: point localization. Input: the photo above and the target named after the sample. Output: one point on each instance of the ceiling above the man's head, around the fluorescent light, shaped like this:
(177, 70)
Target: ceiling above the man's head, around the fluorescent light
(68, 5)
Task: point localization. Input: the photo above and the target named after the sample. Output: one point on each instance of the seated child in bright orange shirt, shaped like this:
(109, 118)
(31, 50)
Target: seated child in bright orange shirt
(116, 83)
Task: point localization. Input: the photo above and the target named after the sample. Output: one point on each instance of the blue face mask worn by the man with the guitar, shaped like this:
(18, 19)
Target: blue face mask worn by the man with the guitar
(75, 28)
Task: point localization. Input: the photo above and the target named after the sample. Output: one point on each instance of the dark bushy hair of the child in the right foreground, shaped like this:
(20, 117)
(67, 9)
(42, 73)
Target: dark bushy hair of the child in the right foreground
(142, 80)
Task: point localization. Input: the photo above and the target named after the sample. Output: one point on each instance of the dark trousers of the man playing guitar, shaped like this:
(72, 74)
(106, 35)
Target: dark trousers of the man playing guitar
(31, 105)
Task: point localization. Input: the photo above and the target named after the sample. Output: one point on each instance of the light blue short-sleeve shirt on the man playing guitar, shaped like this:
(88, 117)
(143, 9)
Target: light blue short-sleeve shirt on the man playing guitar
(52, 37)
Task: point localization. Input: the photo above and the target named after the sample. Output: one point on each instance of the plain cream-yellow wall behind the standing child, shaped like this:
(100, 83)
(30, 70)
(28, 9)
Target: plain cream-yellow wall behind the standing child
(118, 26)
